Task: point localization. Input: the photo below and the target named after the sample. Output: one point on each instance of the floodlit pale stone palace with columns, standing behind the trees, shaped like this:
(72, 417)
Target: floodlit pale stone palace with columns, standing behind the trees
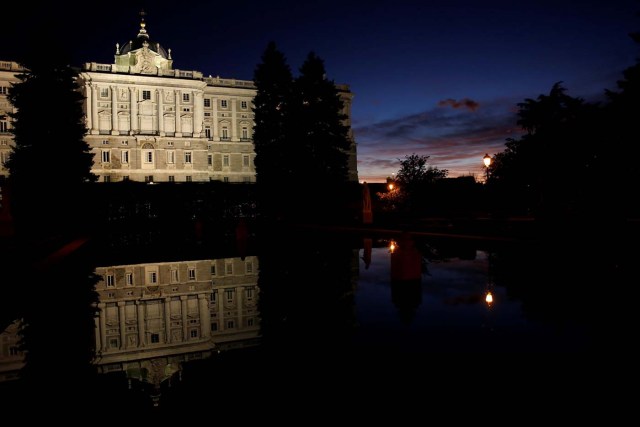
(149, 122)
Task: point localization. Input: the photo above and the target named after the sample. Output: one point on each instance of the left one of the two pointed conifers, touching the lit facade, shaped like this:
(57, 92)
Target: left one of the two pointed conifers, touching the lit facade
(271, 136)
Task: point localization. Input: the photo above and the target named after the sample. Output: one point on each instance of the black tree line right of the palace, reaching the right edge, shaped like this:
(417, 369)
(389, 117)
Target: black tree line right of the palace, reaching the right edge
(576, 160)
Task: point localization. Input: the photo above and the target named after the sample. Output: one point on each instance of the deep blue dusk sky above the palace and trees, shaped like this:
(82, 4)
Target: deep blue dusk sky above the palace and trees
(434, 78)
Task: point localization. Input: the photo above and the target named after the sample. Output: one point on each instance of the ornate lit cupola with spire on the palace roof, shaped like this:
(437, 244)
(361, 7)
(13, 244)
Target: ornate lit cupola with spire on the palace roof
(142, 55)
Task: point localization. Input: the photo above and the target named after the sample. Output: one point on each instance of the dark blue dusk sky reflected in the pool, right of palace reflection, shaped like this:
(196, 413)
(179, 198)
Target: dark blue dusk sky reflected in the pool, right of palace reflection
(447, 311)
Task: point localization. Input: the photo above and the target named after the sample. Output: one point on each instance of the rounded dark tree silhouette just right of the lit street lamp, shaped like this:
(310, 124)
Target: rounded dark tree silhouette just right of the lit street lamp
(551, 168)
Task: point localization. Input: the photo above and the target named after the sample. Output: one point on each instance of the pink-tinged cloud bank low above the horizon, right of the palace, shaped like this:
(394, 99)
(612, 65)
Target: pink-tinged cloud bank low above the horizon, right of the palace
(454, 139)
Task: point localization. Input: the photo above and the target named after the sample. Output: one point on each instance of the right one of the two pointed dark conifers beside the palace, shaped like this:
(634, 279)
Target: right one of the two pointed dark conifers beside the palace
(322, 138)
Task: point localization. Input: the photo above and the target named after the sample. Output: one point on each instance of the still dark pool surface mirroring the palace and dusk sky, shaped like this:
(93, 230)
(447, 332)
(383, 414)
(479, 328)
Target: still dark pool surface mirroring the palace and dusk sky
(188, 321)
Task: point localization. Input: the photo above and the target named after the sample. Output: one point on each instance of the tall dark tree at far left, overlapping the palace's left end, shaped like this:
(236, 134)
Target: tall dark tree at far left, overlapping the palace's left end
(50, 163)
